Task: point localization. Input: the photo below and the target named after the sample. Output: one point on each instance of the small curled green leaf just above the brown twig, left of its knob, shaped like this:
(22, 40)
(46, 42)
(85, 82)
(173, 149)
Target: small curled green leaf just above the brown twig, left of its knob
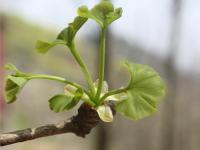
(60, 103)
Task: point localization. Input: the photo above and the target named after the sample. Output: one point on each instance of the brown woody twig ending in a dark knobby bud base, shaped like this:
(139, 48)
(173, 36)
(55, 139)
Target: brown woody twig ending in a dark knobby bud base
(81, 125)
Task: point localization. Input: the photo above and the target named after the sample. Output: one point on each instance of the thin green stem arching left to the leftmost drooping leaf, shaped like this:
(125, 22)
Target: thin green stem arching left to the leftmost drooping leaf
(60, 79)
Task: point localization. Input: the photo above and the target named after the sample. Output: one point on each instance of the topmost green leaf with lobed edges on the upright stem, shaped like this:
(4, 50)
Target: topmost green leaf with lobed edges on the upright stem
(103, 13)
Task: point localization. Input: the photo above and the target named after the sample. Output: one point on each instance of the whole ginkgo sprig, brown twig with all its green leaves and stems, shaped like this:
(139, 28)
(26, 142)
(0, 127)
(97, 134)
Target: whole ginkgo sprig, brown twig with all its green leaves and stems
(138, 100)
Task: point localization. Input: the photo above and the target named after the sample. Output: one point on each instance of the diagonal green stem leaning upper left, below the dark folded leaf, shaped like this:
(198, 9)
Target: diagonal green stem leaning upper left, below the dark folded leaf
(84, 68)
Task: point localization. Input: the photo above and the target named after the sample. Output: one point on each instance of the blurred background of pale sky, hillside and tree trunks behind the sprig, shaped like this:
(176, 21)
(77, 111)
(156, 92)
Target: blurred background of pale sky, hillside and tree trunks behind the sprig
(164, 34)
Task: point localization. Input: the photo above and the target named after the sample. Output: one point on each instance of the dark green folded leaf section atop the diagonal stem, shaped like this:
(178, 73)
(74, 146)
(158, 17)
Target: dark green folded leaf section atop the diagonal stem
(69, 33)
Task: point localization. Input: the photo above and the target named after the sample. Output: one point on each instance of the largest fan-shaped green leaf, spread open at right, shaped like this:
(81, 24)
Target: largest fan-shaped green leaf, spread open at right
(146, 89)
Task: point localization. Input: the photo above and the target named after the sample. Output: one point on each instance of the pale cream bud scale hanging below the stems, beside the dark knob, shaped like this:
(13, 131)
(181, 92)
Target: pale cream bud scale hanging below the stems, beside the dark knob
(105, 113)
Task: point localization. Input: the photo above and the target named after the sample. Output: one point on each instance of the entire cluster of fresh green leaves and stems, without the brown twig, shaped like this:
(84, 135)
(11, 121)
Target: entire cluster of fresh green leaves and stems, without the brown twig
(139, 99)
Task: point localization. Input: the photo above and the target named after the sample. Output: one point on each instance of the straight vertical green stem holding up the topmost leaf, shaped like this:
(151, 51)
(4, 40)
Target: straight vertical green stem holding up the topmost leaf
(102, 63)
